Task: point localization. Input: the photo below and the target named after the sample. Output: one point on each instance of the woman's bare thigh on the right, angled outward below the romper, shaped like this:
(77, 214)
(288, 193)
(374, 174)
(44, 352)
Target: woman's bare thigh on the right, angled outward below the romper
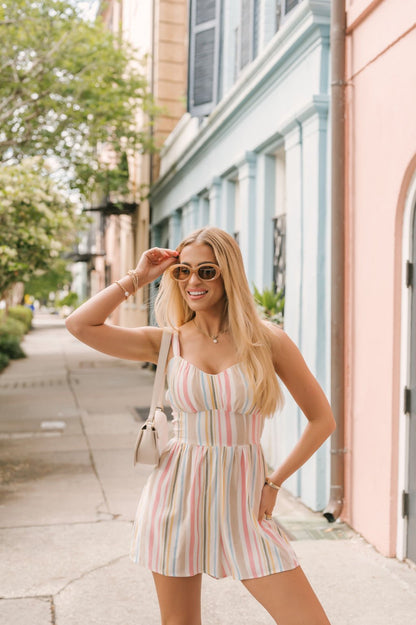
(288, 597)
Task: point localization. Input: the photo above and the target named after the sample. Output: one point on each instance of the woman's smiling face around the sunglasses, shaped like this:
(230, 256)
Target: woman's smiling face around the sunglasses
(201, 295)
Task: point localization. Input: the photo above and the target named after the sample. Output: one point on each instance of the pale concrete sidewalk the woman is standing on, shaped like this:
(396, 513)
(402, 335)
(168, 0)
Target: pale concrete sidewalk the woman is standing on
(68, 497)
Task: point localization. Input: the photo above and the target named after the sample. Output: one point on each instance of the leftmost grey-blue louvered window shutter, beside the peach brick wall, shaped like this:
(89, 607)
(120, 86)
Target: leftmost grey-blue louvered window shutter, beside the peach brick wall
(204, 56)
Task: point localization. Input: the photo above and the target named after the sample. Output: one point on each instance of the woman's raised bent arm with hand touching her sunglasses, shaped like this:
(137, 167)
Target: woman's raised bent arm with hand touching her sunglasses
(88, 322)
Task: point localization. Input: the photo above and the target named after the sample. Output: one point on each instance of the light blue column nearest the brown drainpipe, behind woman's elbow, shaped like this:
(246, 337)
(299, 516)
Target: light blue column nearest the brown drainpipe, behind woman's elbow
(315, 290)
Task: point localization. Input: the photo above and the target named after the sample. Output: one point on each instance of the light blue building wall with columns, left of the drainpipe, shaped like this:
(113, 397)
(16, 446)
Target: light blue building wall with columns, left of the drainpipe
(260, 154)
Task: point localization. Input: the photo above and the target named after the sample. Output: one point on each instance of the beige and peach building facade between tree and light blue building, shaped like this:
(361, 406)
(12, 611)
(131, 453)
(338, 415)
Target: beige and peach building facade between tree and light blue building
(157, 29)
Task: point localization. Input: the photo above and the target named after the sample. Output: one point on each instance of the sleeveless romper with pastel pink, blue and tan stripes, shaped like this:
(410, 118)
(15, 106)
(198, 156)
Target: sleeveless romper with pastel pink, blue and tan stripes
(198, 512)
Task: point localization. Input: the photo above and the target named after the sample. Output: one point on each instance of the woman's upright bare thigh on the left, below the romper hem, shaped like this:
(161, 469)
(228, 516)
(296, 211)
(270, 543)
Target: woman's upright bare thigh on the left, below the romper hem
(179, 599)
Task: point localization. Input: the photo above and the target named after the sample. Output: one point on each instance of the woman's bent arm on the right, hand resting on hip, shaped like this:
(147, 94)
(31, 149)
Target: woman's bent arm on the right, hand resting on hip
(305, 390)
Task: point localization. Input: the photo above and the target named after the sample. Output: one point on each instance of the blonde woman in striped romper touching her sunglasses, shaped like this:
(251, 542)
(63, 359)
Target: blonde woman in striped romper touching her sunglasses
(207, 507)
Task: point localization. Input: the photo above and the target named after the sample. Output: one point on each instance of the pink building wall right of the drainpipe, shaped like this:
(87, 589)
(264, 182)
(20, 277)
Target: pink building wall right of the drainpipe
(381, 143)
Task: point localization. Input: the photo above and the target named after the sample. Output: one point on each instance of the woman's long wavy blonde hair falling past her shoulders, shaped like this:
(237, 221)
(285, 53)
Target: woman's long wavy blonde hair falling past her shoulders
(249, 333)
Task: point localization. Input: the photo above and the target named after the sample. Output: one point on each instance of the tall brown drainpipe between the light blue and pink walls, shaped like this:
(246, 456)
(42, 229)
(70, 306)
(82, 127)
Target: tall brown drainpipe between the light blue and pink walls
(338, 27)
